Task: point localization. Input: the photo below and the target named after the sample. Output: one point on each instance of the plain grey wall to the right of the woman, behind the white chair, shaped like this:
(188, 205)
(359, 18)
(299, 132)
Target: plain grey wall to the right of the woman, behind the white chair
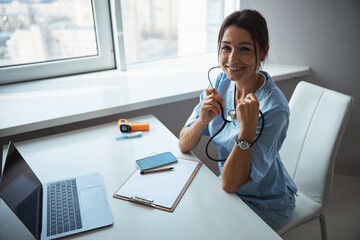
(325, 35)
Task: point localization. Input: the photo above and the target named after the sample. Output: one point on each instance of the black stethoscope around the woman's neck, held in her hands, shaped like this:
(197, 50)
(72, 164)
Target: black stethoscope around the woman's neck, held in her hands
(230, 118)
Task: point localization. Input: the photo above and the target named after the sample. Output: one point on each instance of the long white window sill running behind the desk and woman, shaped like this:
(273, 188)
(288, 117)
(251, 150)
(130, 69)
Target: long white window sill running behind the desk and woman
(42, 104)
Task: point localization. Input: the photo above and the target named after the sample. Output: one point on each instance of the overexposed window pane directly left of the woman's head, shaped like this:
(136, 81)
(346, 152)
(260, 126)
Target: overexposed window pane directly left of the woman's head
(158, 29)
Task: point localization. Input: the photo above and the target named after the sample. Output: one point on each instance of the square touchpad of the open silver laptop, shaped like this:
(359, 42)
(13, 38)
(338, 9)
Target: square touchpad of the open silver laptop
(92, 198)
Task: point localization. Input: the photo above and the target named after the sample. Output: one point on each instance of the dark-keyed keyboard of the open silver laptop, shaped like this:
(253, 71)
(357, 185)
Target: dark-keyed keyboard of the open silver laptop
(63, 210)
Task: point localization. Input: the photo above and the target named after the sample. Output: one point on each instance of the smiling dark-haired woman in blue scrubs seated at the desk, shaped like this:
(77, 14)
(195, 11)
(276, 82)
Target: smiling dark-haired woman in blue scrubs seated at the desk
(254, 172)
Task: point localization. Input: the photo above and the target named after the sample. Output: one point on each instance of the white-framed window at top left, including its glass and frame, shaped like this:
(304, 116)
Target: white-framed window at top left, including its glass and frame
(45, 38)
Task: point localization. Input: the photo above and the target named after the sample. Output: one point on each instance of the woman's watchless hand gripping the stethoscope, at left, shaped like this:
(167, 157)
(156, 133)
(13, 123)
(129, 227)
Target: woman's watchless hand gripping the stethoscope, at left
(211, 105)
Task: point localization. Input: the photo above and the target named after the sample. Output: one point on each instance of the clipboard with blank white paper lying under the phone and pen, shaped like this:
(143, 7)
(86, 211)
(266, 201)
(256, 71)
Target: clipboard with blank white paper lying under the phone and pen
(161, 190)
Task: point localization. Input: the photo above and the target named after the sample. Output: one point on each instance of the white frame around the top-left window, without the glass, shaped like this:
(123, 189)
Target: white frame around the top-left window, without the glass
(105, 60)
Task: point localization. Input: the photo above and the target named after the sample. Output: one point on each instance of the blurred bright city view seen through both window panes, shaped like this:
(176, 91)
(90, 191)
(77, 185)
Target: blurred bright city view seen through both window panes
(35, 31)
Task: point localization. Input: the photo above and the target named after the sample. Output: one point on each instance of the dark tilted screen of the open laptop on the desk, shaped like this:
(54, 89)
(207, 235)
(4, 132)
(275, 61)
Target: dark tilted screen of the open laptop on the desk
(22, 190)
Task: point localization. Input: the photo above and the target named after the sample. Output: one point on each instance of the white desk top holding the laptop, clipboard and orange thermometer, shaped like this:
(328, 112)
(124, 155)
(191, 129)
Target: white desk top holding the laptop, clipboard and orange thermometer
(204, 212)
